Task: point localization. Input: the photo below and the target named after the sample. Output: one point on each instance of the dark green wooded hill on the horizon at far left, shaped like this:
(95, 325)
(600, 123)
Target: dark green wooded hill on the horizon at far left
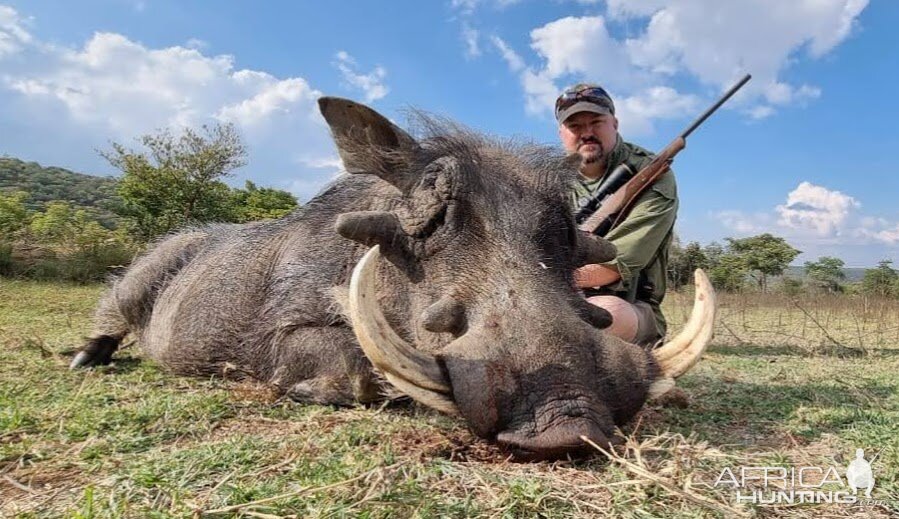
(45, 184)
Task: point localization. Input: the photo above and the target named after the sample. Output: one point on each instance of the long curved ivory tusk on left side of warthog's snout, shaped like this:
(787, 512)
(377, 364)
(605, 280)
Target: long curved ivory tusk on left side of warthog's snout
(415, 373)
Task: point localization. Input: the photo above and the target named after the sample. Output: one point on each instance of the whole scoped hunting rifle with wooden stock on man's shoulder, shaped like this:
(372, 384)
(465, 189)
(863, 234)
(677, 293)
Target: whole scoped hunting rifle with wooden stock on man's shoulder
(622, 187)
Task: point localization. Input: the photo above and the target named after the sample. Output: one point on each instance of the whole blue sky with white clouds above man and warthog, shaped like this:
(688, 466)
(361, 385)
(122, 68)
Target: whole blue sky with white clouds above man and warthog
(804, 151)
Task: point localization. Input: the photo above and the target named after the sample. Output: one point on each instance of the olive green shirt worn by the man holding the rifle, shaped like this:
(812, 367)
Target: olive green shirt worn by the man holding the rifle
(643, 237)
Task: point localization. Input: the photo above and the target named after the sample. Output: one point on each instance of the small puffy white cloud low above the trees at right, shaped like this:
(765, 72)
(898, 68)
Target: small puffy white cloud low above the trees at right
(816, 208)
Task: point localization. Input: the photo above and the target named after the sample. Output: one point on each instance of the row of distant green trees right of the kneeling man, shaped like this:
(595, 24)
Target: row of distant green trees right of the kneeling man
(751, 263)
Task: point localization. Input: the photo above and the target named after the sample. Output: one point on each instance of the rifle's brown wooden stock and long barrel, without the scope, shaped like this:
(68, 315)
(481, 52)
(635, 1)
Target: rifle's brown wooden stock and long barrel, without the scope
(615, 207)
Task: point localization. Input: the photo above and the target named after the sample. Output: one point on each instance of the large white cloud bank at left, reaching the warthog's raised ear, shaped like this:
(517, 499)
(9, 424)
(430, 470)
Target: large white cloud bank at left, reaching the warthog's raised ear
(113, 88)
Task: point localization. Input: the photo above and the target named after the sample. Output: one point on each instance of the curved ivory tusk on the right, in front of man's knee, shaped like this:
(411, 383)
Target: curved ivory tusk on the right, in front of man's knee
(685, 349)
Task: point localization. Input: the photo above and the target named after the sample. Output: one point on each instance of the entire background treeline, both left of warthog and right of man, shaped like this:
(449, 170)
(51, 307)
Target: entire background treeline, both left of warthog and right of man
(57, 224)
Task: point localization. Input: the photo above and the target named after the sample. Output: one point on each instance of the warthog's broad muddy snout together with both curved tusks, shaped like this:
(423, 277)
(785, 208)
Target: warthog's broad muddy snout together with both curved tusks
(538, 388)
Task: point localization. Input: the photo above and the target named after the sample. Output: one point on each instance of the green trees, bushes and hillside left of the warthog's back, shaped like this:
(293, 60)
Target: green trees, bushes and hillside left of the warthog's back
(95, 224)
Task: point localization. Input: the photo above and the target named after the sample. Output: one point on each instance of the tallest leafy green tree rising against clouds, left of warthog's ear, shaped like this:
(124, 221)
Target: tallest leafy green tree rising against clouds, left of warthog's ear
(179, 180)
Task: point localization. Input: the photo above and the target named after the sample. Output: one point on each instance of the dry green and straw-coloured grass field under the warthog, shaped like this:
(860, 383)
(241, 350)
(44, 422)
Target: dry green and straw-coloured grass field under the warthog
(785, 384)
